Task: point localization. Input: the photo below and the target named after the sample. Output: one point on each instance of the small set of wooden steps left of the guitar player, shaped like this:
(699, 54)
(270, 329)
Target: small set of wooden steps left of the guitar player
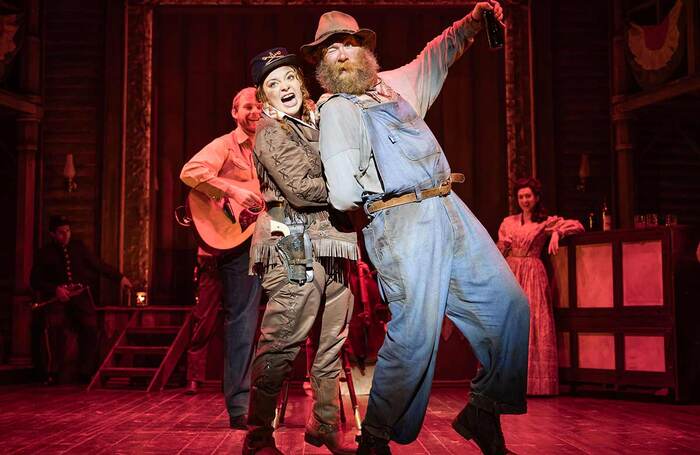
(147, 350)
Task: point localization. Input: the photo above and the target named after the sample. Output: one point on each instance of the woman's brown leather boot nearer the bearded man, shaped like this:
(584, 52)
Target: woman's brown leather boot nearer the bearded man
(322, 427)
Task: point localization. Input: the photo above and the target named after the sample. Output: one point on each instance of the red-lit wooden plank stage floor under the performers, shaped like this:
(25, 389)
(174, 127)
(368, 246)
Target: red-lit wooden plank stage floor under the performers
(66, 419)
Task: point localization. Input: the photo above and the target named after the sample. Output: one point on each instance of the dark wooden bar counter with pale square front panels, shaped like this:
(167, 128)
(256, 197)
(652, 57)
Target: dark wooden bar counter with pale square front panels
(626, 306)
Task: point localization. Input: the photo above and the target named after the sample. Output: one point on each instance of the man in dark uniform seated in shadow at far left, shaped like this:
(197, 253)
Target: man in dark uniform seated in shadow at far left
(61, 272)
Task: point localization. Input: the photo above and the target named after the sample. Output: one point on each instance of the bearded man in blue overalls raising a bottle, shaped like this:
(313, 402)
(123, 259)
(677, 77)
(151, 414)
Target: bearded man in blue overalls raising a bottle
(432, 255)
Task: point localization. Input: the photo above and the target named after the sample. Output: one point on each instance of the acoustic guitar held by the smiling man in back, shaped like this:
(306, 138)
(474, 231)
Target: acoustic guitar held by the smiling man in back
(222, 224)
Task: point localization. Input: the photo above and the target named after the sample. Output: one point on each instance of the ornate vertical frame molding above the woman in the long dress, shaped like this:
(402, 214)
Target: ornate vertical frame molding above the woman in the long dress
(518, 95)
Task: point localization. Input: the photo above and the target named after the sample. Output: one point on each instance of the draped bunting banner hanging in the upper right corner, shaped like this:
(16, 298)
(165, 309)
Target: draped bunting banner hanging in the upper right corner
(655, 51)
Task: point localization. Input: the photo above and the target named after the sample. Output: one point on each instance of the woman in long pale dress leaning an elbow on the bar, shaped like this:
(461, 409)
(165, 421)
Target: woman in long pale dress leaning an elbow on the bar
(520, 239)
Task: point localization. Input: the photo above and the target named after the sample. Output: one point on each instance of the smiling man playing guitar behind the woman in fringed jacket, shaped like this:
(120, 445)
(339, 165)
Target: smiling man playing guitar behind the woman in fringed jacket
(224, 179)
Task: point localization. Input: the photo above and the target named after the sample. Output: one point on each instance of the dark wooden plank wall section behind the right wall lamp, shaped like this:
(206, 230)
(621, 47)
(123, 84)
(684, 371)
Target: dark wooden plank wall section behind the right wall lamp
(581, 104)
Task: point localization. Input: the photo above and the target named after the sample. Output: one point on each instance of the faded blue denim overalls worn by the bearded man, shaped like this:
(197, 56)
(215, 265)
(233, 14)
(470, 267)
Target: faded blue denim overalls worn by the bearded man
(435, 258)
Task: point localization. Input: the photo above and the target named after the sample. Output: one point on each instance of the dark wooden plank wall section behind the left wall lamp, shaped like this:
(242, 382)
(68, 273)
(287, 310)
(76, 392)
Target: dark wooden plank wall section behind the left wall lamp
(73, 84)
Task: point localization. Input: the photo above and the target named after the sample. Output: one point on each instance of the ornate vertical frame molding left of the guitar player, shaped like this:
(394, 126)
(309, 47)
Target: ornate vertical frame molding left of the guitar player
(138, 212)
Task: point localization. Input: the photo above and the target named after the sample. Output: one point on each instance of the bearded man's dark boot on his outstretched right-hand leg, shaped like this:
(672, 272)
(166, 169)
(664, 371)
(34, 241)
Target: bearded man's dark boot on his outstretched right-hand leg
(482, 426)
